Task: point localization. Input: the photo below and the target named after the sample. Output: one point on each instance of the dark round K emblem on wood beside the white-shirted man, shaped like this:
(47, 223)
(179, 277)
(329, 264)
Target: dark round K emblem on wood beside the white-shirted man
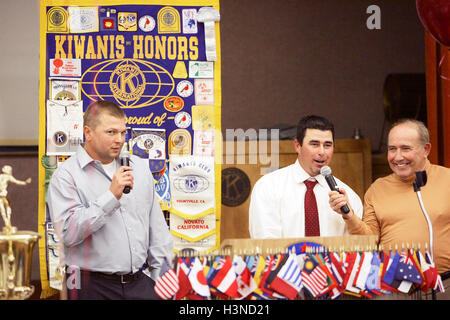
(235, 187)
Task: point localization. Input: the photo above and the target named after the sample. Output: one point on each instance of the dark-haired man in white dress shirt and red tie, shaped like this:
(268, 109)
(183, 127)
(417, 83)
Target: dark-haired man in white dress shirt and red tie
(277, 205)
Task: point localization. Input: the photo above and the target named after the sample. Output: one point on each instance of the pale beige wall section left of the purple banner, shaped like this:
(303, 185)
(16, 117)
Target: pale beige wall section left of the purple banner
(19, 69)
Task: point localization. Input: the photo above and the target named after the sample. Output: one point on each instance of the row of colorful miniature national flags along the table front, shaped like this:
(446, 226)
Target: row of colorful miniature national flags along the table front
(299, 276)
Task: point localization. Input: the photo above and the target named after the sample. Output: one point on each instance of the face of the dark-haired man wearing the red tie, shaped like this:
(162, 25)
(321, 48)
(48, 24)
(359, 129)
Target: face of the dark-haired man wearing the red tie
(316, 150)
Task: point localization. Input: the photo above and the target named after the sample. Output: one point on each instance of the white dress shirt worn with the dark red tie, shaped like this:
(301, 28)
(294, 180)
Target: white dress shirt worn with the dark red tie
(277, 205)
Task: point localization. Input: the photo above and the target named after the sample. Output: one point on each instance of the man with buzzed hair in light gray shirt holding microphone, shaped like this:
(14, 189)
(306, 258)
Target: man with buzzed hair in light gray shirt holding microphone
(108, 236)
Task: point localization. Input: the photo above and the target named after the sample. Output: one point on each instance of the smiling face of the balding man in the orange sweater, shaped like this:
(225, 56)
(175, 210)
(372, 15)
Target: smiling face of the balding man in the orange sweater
(406, 154)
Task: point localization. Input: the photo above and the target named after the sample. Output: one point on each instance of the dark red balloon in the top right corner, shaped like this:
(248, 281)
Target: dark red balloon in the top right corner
(435, 17)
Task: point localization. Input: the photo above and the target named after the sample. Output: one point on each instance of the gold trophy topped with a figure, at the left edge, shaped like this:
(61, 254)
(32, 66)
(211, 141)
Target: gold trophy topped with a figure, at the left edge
(16, 247)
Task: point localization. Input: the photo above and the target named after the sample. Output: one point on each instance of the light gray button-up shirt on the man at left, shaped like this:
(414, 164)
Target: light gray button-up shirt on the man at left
(101, 233)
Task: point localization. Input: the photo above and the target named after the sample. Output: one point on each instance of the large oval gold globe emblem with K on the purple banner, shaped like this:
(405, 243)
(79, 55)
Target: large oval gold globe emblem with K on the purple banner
(132, 83)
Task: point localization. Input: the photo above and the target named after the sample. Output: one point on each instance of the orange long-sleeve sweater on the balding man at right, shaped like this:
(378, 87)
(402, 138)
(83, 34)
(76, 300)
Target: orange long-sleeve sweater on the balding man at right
(392, 211)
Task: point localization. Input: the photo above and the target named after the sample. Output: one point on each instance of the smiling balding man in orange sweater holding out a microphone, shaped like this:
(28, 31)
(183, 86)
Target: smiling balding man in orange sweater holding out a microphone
(391, 208)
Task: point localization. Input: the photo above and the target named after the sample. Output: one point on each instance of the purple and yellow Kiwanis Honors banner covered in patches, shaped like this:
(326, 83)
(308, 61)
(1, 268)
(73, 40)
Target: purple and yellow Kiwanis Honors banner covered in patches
(156, 60)
